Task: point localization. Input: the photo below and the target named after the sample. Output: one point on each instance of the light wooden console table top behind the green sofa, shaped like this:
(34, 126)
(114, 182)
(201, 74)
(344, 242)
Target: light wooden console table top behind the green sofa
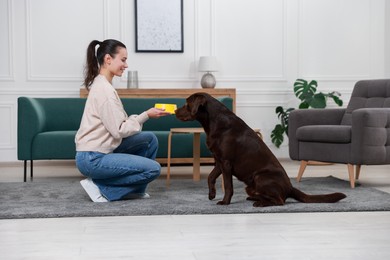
(171, 93)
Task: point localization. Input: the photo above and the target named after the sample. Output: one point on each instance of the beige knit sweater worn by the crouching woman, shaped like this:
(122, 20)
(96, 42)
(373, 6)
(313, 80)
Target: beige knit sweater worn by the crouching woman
(105, 122)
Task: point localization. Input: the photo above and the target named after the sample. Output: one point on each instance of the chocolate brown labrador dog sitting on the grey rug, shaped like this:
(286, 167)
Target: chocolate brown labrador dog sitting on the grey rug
(238, 151)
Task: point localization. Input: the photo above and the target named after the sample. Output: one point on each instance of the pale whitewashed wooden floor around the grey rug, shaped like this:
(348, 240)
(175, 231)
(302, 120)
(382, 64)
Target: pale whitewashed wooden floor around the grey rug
(364, 235)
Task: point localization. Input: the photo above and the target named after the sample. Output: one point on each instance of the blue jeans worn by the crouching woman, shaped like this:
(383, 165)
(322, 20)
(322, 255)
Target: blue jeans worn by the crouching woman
(127, 170)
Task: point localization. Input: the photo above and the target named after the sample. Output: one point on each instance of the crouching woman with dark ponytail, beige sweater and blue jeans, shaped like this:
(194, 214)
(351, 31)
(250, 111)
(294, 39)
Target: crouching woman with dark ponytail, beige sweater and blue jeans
(112, 152)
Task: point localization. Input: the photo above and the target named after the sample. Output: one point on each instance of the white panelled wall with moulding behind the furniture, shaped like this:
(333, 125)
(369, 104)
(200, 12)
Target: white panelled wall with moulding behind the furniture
(262, 47)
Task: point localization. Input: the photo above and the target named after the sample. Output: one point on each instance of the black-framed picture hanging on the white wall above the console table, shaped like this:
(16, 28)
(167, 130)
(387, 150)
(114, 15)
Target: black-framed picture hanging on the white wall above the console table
(159, 26)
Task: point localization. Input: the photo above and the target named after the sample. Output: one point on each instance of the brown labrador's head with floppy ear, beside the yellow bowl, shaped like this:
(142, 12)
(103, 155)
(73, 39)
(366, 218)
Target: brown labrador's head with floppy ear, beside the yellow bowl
(195, 104)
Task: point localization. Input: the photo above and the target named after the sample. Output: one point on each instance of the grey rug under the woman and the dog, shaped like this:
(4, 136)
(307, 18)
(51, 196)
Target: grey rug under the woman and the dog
(183, 196)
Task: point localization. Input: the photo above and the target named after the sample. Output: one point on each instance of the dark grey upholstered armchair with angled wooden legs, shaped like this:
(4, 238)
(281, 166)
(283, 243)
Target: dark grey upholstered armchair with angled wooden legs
(358, 135)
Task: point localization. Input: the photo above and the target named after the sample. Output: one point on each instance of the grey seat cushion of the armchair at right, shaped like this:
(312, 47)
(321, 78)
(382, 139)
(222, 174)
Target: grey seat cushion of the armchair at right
(324, 133)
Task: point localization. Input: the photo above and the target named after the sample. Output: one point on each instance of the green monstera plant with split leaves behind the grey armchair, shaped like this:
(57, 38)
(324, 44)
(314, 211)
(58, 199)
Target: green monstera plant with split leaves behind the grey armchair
(306, 92)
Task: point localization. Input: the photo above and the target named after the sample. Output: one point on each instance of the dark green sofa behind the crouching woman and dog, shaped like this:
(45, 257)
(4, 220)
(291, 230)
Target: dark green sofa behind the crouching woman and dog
(47, 127)
